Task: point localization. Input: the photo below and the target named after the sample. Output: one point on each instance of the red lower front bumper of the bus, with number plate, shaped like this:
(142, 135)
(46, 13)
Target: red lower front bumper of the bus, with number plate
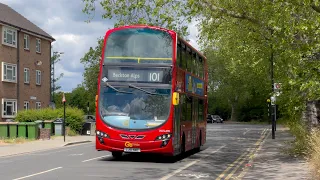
(163, 147)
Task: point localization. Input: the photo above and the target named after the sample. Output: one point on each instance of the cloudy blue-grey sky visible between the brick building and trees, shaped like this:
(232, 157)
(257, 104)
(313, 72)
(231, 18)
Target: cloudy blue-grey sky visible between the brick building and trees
(65, 21)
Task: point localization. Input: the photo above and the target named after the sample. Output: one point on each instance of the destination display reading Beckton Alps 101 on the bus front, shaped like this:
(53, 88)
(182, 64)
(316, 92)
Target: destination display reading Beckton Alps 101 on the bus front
(137, 75)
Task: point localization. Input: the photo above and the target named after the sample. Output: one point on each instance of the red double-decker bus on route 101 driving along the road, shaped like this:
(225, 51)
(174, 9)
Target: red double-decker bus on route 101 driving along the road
(152, 93)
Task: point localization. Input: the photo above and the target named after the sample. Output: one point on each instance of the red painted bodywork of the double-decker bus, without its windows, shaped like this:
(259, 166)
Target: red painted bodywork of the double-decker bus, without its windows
(116, 139)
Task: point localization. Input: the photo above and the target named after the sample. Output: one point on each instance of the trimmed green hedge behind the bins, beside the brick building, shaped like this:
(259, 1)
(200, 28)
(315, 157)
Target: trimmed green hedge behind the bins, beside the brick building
(74, 116)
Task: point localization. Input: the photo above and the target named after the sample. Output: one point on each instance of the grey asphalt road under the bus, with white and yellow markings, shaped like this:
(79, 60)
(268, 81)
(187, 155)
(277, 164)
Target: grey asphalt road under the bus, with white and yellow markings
(227, 147)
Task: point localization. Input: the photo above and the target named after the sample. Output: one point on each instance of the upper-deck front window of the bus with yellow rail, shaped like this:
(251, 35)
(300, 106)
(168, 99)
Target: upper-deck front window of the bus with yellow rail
(139, 45)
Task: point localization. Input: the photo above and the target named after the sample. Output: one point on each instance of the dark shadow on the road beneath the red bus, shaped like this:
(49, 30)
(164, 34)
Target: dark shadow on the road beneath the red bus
(153, 158)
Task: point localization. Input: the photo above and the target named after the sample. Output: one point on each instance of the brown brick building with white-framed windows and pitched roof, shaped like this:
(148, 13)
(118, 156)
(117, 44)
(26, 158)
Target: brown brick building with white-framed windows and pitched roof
(25, 53)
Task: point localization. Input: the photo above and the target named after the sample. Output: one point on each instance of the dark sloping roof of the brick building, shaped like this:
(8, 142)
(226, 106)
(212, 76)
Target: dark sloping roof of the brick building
(13, 18)
